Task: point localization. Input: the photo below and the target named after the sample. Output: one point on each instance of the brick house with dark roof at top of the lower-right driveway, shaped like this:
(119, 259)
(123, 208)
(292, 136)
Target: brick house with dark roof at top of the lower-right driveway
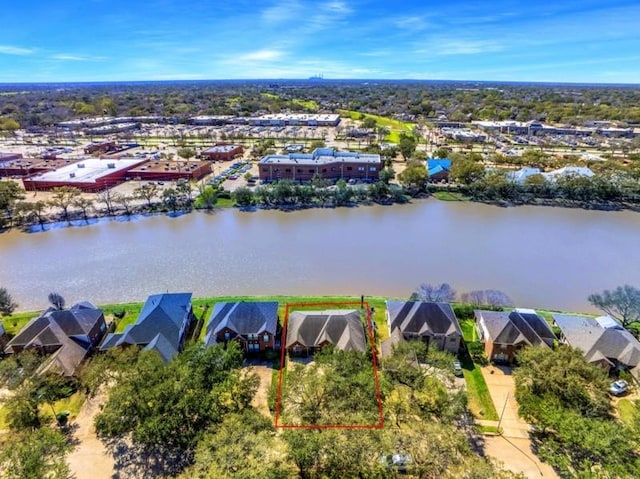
(505, 333)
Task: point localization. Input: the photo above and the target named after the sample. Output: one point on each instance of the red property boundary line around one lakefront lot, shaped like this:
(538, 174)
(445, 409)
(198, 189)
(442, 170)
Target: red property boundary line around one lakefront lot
(374, 360)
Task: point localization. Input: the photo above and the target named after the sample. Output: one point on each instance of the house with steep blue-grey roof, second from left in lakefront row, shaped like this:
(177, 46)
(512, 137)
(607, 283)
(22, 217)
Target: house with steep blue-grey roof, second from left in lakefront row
(161, 326)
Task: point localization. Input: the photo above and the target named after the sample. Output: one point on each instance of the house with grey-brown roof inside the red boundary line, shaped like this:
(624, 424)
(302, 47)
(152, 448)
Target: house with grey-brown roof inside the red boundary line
(310, 331)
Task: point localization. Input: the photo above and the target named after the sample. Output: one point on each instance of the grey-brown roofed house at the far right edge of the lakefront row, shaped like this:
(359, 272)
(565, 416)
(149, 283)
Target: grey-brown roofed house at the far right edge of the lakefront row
(602, 340)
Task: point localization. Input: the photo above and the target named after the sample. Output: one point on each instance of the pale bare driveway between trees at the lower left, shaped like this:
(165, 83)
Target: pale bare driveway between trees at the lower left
(90, 459)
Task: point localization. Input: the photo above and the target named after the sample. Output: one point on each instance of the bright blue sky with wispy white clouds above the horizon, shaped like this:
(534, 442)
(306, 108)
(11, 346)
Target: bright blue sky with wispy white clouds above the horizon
(105, 40)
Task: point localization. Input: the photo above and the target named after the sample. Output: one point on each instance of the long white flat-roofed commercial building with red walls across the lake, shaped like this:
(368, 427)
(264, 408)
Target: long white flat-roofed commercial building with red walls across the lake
(89, 175)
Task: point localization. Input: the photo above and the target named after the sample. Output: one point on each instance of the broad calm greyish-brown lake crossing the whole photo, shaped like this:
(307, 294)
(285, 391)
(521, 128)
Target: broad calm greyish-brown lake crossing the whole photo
(540, 256)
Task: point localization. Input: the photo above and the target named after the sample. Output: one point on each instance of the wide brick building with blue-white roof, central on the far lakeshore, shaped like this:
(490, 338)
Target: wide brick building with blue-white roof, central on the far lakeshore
(324, 162)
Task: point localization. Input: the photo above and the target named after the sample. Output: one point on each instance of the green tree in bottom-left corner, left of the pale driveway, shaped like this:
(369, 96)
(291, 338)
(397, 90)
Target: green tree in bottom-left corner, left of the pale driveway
(36, 454)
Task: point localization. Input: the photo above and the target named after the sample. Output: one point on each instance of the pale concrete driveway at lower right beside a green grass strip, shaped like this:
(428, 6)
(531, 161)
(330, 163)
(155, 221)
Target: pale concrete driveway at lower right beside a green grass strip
(513, 448)
